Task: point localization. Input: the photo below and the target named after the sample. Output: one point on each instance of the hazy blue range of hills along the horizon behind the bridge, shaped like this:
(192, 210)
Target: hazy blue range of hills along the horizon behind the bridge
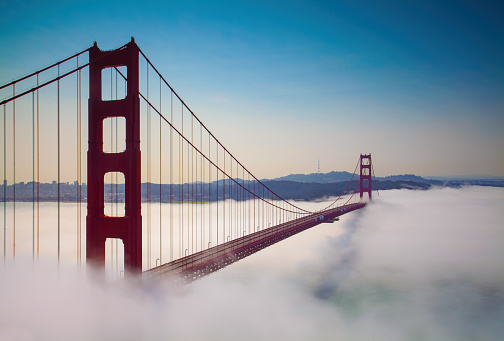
(294, 186)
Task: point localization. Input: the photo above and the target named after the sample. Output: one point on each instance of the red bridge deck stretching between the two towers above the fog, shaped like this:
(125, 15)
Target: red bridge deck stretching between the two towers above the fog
(192, 267)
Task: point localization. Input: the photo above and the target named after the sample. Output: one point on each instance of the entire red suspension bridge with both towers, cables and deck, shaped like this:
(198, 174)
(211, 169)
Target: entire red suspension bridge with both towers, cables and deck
(164, 196)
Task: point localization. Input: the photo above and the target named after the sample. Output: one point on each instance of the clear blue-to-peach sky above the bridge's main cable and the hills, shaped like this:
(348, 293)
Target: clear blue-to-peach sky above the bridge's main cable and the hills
(419, 84)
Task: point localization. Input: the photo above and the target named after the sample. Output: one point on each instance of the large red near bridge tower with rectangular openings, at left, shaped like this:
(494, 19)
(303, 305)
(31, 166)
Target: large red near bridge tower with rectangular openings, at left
(99, 227)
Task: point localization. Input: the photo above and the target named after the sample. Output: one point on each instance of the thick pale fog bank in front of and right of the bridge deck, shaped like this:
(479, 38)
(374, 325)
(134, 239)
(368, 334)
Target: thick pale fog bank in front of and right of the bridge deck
(413, 265)
